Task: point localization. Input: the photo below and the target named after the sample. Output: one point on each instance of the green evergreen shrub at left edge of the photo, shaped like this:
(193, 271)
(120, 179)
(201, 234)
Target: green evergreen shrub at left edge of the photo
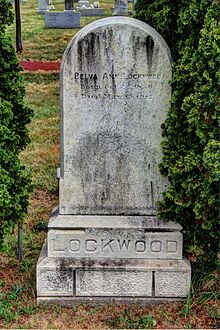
(14, 116)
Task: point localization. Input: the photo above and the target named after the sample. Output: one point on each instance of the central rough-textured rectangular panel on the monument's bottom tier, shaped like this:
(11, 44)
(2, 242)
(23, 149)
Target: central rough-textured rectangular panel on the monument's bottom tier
(113, 283)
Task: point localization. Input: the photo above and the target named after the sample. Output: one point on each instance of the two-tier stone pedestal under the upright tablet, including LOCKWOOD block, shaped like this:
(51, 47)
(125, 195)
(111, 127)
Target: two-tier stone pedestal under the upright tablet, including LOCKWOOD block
(125, 259)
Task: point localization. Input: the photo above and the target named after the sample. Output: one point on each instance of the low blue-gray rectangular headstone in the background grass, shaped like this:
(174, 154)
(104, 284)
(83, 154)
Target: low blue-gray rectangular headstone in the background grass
(64, 20)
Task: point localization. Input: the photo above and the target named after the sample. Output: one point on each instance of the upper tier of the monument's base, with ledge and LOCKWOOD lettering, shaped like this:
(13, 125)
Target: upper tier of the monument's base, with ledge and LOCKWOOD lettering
(137, 237)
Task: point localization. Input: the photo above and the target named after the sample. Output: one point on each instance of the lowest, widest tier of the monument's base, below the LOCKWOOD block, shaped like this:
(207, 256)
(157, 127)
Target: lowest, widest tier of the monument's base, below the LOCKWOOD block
(134, 280)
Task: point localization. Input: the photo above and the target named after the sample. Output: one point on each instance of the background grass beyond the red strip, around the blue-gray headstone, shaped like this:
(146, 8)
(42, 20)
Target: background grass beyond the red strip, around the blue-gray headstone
(48, 44)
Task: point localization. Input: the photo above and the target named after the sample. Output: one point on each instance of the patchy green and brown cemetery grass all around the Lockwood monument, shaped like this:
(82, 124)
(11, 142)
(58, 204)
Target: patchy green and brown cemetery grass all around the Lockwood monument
(18, 307)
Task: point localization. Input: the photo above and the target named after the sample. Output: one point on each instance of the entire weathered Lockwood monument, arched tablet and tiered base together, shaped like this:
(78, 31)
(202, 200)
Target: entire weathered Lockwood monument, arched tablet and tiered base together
(105, 242)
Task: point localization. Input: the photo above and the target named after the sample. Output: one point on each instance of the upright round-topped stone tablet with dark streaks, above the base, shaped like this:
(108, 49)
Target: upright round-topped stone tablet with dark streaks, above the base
(115, 91)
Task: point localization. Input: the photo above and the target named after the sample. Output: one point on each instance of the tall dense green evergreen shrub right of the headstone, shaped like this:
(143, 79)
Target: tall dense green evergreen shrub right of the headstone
(191, 147)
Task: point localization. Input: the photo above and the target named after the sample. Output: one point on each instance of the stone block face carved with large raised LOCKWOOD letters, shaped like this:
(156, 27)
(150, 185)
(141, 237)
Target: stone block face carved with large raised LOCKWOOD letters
(114, 243)
